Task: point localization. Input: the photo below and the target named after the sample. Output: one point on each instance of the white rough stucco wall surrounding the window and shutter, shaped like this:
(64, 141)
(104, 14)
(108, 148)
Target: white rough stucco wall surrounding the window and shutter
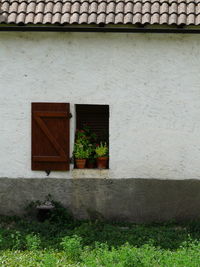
(151, 82)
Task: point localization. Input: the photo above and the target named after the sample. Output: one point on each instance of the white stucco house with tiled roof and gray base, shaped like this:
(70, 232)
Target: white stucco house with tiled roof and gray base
(129, 67)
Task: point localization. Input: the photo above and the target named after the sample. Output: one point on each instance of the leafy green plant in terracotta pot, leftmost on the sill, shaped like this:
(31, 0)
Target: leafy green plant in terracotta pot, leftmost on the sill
(80, 155)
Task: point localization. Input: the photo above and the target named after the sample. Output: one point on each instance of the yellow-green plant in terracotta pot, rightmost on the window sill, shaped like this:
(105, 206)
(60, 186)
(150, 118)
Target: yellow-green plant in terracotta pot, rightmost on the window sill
(102, 155)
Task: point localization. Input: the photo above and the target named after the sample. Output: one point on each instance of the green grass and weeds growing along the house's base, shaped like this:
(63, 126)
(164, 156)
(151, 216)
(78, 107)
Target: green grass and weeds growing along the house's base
(26, 242)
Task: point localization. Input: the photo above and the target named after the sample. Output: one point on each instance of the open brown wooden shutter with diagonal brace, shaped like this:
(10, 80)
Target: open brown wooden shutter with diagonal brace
(50, 136)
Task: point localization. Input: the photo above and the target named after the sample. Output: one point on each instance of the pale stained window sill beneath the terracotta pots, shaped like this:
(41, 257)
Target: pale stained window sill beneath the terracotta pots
(90, 173)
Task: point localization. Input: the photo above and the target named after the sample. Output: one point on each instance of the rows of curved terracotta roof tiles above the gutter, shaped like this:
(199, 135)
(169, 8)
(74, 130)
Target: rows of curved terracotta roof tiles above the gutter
(178, 12)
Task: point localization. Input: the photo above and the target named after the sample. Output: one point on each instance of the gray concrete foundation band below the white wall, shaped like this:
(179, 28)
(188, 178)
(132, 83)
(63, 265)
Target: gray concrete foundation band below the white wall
(135, 200)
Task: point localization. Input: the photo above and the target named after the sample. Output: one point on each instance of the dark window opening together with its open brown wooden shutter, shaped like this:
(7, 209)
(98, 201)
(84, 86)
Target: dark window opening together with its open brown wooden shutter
(50, 132)
